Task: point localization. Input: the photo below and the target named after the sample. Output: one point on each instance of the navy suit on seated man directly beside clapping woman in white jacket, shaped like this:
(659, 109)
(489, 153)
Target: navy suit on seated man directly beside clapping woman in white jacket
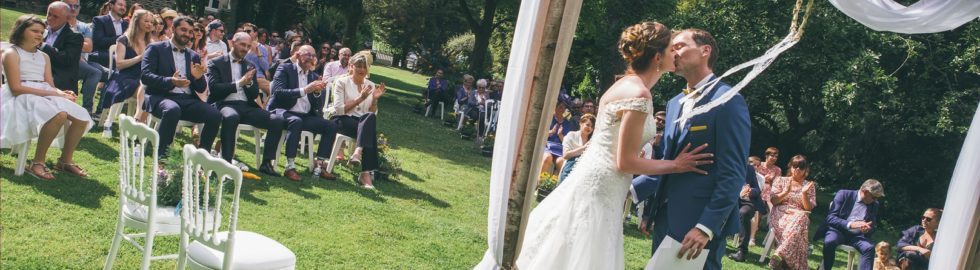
(285, 91)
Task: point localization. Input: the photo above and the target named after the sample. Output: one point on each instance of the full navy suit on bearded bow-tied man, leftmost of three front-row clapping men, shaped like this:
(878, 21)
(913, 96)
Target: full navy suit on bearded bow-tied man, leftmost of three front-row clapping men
(157, 69)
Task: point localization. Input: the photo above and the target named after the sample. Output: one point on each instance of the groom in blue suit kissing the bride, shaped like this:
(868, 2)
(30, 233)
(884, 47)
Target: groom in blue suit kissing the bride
(699, 210)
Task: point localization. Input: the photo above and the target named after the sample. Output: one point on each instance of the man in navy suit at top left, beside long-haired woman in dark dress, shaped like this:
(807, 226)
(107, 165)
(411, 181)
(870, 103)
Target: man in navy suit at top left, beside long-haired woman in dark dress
(106, 29)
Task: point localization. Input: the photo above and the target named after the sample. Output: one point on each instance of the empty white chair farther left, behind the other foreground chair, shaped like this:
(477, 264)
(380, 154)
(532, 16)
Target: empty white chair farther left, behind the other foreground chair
(138, 193)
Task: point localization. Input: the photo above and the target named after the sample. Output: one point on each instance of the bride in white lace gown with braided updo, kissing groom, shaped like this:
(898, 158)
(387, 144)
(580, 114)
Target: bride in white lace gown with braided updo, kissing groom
(579, 225)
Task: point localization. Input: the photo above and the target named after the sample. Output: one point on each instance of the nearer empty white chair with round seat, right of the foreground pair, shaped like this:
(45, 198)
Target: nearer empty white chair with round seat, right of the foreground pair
(203, 245)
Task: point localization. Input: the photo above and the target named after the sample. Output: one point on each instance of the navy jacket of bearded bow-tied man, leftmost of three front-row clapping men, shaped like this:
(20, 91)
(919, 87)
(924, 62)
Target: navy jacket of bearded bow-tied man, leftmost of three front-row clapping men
(157, 69)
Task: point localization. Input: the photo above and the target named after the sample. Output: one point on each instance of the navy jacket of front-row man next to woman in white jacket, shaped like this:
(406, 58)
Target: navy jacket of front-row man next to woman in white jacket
(286, 89)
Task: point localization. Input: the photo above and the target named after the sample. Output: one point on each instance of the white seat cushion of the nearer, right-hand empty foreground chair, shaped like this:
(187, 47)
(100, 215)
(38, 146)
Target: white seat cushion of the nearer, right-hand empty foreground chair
(252, 251)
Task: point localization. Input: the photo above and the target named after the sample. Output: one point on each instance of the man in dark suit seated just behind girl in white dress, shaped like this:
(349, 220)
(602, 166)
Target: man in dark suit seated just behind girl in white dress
(63, 46)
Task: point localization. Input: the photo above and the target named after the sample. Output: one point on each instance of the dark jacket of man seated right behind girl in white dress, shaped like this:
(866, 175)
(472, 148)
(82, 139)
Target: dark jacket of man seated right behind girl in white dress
(65, 54)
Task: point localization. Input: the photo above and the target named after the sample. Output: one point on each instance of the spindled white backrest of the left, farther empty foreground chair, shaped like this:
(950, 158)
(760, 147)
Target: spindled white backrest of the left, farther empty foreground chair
(136, 184)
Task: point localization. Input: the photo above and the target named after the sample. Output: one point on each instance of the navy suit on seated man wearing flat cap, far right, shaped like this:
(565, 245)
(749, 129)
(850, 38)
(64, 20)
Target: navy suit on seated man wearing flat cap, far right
(835, 232)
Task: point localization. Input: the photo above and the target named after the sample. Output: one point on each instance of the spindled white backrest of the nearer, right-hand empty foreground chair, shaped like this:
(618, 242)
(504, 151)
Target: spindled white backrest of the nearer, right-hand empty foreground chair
(200, 220)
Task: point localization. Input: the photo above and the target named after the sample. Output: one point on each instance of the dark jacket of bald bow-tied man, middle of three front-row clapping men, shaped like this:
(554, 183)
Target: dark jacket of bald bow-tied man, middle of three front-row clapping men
(222, 84)
